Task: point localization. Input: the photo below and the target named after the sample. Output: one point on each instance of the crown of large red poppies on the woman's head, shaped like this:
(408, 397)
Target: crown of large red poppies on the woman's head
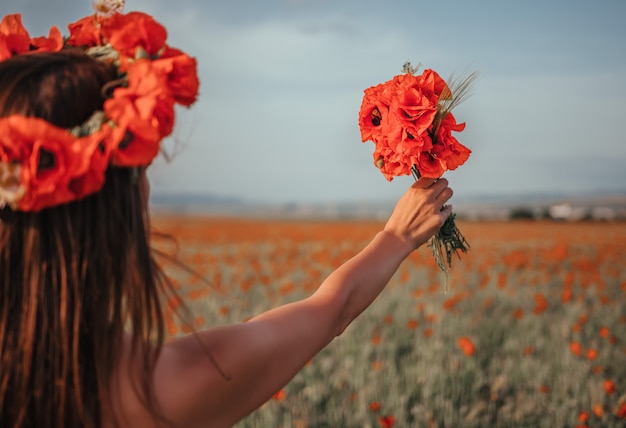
(42, 165)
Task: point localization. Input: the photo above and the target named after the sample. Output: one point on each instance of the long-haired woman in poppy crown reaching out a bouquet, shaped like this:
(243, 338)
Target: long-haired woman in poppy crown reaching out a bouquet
(81, 326)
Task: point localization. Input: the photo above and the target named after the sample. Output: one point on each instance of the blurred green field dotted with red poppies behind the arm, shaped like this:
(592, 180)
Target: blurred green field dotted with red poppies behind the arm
(531, 331)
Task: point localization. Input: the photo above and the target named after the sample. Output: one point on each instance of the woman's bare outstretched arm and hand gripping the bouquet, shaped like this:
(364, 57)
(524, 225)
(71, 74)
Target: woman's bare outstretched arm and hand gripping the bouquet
(260, 356)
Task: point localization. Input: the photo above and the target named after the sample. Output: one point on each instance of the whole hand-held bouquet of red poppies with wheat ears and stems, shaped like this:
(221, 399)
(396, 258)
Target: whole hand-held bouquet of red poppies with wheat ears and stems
(409, 119)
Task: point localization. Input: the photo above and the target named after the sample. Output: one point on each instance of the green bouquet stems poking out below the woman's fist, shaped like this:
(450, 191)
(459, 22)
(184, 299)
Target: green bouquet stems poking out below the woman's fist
(447, 242)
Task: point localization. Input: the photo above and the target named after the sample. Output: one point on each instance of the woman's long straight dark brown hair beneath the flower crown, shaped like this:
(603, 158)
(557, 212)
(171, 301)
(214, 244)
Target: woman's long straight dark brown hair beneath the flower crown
(73, 278)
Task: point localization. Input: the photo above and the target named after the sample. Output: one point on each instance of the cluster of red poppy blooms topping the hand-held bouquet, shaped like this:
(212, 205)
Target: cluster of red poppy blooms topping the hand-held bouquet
(399, 116)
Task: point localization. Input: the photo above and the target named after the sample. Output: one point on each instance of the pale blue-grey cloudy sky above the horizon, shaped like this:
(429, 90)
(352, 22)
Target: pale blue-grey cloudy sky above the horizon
(282, 82)
